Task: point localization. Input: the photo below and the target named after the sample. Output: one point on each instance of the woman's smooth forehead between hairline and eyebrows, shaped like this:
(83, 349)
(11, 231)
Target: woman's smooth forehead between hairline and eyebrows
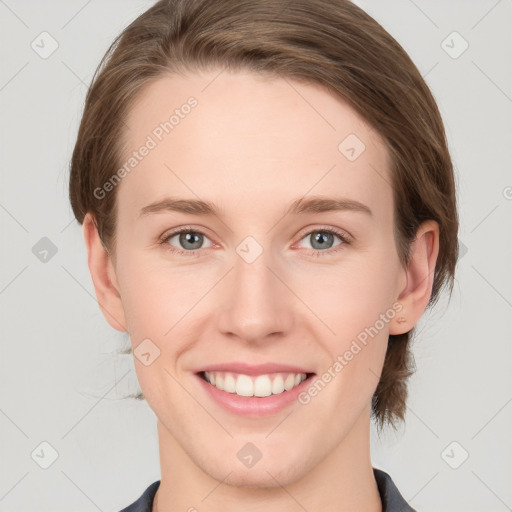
(248, 141)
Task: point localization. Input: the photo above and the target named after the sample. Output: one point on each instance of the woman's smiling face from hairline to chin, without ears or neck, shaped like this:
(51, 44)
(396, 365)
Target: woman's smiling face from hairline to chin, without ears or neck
(256, 281)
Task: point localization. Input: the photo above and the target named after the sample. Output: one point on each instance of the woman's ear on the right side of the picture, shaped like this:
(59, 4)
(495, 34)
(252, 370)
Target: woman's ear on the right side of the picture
(419, 277)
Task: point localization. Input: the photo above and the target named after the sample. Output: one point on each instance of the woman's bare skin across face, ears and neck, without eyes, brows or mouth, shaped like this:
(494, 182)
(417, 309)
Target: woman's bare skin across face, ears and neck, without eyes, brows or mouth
(252, 146)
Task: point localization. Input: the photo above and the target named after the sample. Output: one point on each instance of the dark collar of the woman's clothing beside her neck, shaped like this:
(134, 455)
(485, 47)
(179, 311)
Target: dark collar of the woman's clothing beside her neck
(392, 500)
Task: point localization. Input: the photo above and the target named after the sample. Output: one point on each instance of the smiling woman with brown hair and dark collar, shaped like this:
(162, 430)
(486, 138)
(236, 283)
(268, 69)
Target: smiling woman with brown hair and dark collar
(222, 145)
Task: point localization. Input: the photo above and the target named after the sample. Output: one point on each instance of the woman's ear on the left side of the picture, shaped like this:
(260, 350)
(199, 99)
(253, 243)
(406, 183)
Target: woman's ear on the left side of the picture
(103, 276)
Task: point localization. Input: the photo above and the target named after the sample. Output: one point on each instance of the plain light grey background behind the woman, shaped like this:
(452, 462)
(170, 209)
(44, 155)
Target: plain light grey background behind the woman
(62, 381)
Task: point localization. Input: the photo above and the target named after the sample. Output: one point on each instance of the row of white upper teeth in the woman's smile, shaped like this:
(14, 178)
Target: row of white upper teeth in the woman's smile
(262, 385)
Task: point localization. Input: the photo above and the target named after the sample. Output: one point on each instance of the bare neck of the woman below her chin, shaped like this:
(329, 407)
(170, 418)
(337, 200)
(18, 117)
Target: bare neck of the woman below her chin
(341, 482)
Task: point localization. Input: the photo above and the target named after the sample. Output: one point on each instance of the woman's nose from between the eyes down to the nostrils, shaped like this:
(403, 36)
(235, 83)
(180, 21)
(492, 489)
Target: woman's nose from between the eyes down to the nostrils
(256, 303)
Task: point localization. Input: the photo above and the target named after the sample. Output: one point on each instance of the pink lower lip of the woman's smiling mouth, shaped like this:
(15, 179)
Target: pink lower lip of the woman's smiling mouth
(254, 406)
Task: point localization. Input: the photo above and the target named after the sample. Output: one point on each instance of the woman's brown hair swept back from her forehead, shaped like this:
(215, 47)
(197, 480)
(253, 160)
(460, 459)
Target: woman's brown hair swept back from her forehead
(329, 42)
